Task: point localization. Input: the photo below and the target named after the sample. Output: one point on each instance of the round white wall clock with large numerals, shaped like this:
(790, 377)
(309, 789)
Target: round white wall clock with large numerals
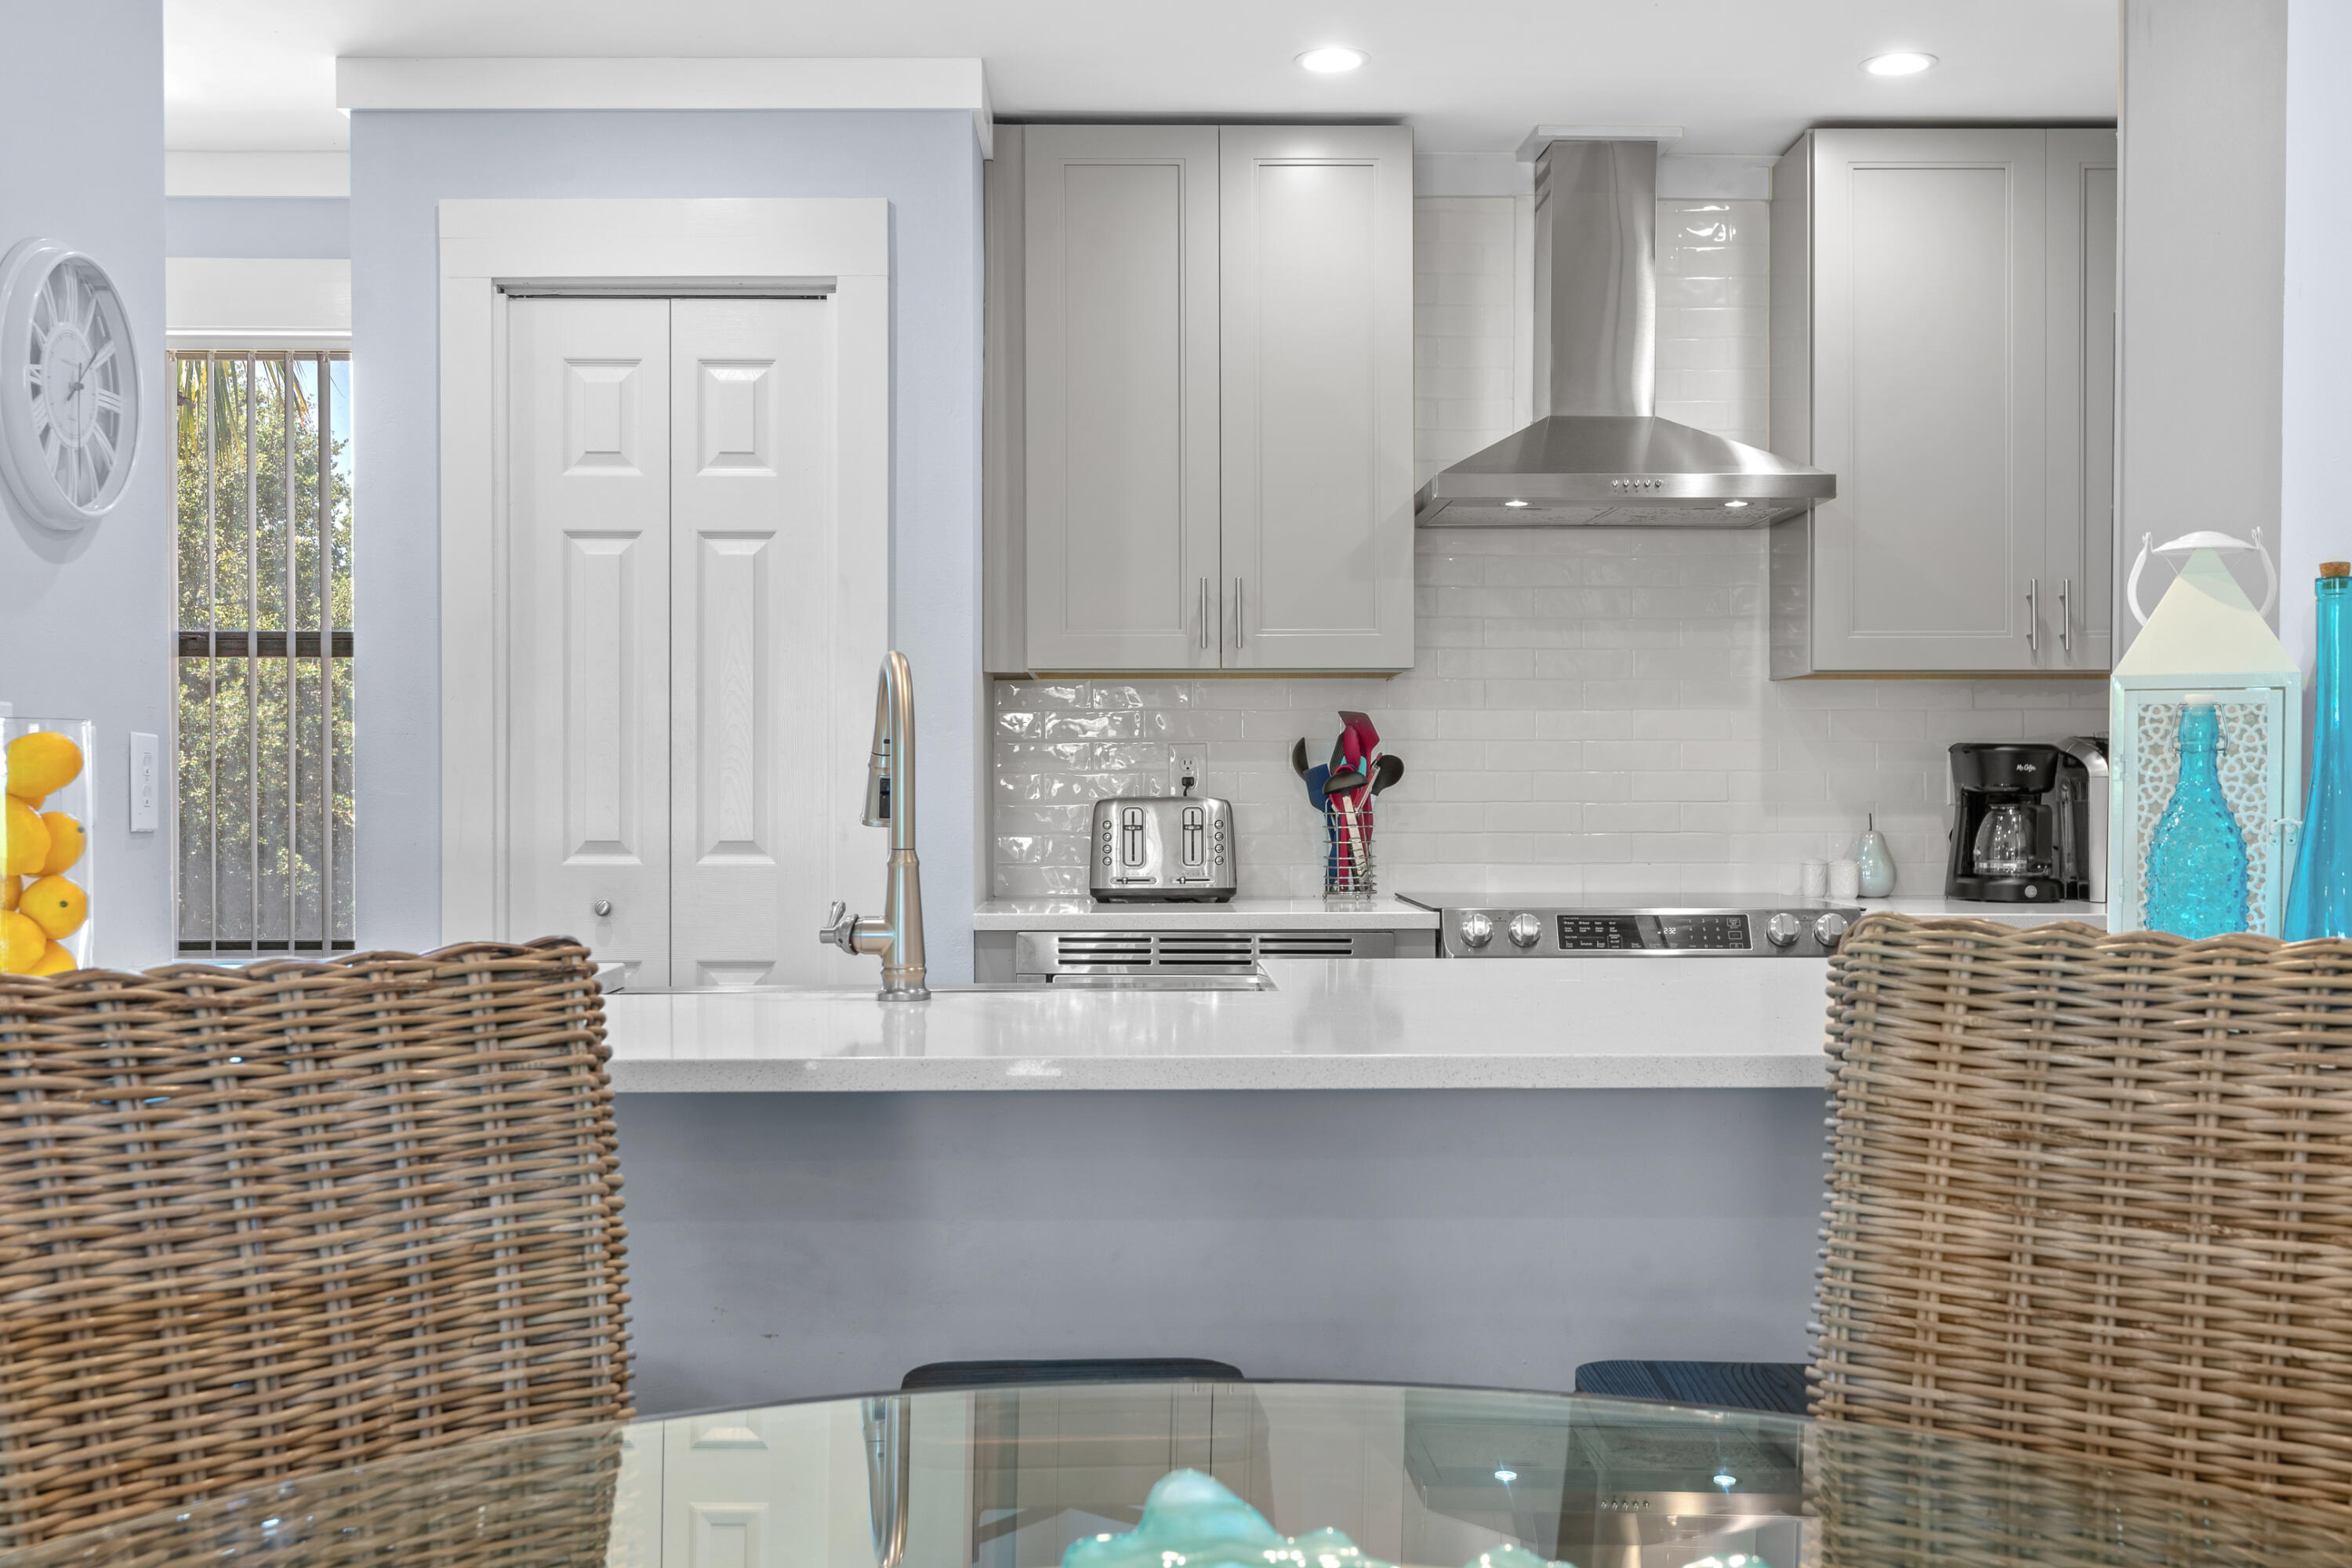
(69, 387)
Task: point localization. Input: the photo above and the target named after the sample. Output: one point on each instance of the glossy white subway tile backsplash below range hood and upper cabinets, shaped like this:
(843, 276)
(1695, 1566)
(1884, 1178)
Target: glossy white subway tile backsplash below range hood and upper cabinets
(1575, 746)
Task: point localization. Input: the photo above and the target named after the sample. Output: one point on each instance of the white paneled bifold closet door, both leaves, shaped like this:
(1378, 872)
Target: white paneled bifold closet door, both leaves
(671, 624)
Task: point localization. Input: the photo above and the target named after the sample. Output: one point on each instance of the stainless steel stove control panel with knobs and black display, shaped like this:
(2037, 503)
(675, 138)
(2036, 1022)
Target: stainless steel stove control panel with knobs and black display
(1808, 932)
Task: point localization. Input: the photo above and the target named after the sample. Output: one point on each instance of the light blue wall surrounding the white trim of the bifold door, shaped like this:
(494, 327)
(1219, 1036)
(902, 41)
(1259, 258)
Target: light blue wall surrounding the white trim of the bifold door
(401, 168)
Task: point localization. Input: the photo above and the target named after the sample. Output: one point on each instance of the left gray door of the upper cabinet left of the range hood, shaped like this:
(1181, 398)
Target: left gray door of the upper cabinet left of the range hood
(1123, 384)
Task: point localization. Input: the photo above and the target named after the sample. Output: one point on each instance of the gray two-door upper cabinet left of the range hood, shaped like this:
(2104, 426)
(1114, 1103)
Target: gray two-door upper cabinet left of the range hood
(1212, 363)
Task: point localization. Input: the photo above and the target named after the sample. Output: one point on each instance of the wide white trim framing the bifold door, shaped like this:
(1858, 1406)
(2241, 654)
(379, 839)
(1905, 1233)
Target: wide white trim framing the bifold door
(784, 241)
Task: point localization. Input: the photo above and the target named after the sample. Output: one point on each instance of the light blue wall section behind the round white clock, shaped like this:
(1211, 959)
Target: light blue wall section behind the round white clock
(86, 619)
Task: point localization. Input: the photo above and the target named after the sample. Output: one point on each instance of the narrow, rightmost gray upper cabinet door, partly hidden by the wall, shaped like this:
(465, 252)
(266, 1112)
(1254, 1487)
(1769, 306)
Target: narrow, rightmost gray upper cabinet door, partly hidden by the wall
(2083, 255)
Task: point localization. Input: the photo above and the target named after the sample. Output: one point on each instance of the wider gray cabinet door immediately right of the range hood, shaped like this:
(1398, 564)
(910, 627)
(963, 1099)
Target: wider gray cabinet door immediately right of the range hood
(1930, 401)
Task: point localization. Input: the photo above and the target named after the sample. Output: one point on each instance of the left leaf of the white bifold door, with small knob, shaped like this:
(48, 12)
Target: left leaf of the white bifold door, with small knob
(589, 507)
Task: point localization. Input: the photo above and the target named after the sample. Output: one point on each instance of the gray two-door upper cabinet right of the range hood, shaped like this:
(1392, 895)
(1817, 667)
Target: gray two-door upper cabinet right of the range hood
(1937, 316)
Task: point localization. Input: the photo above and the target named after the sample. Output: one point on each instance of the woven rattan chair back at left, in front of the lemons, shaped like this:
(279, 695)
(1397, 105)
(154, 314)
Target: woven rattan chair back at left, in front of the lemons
(298, 1217)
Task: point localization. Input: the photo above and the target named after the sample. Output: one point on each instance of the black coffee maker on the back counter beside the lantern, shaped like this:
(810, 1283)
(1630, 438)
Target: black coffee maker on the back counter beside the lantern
(2024, 822)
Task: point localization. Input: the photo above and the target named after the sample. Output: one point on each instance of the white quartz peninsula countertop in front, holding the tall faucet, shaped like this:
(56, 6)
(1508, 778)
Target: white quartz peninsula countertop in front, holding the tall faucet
(1335, 1024)
